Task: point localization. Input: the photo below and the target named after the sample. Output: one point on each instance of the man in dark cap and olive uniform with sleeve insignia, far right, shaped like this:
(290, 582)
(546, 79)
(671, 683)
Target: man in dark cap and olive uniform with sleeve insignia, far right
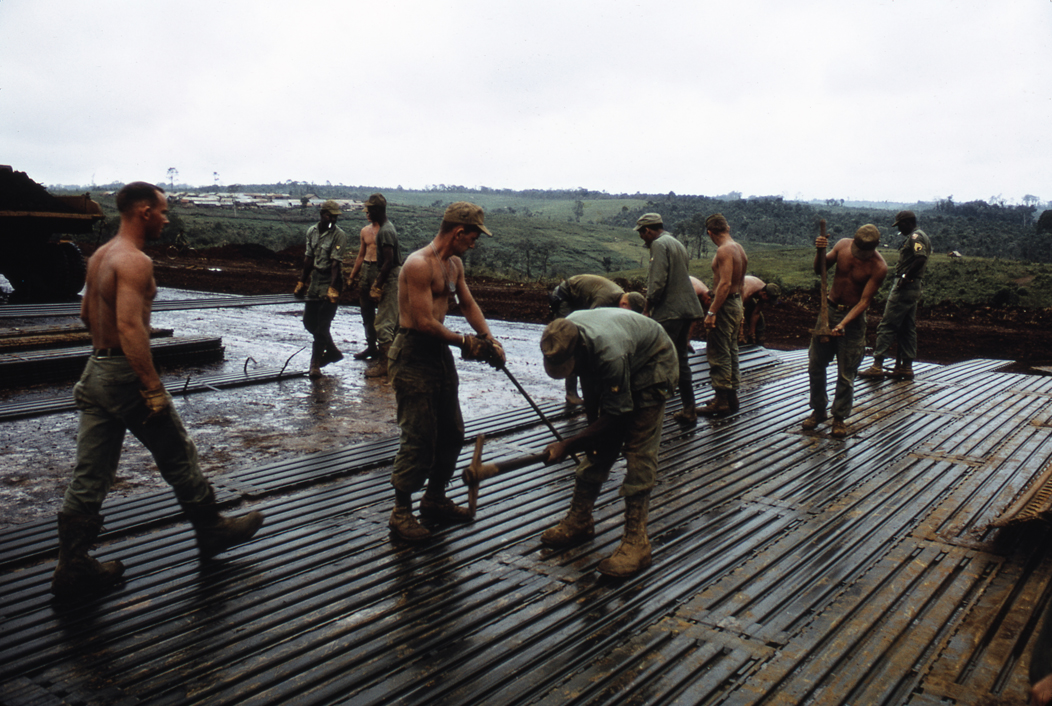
(900, 321)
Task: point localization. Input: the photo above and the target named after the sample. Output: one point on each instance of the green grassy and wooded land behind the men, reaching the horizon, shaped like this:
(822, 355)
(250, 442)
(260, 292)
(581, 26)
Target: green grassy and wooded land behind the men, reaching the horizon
(543, 238)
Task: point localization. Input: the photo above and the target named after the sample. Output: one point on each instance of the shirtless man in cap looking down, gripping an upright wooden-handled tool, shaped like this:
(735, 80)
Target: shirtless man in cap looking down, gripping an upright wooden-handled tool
(860, 272)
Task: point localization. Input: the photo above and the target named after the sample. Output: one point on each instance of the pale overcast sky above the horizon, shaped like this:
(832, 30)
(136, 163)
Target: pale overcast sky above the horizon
(898, 100)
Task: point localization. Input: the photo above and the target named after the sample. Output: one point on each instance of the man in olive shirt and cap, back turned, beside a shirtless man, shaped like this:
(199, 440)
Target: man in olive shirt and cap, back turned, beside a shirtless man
(672, 300)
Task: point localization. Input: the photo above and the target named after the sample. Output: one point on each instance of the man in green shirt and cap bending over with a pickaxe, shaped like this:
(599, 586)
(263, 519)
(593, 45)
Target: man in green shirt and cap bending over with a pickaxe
(629, 368)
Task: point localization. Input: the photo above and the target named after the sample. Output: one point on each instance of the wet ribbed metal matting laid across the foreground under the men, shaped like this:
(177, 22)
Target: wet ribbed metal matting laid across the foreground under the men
(788, 569)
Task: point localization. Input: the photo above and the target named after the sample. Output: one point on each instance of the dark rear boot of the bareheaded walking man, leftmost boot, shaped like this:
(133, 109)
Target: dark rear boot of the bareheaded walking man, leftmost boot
(79, 576)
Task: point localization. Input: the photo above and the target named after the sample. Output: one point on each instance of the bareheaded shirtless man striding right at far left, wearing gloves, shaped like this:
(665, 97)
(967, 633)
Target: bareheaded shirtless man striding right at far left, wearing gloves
(120, 391)
